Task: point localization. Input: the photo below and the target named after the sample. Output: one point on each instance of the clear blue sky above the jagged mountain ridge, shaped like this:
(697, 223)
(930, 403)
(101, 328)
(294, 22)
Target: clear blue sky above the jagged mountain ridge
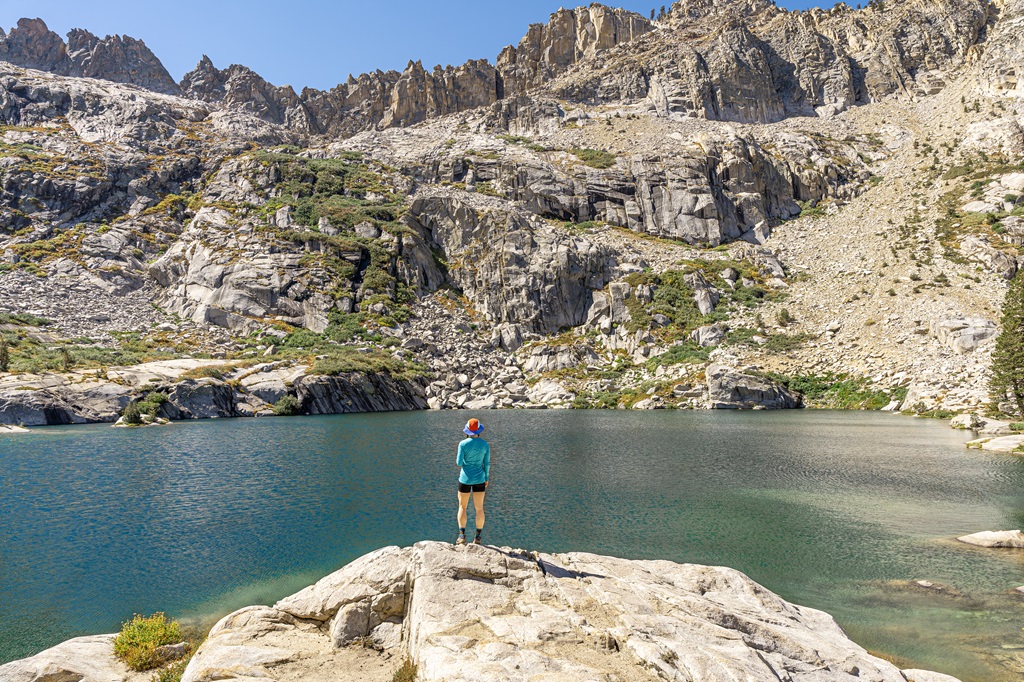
(310, 44)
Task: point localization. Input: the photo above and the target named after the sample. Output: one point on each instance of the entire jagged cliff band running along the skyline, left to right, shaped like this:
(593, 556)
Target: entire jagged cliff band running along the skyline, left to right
(744, 61)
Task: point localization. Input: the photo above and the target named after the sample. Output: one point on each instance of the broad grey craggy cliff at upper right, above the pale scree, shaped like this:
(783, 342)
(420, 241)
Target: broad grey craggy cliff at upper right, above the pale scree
(753, 62)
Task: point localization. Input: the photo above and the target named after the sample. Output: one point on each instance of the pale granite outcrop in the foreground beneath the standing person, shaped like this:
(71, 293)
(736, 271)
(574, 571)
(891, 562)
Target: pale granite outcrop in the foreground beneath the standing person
(491, 614)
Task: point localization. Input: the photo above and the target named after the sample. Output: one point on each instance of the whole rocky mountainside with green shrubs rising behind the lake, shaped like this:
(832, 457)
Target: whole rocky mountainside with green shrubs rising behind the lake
(733, 206)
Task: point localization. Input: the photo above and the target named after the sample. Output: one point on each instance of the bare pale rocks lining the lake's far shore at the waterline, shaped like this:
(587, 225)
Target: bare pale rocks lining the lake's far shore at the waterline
(187, 390)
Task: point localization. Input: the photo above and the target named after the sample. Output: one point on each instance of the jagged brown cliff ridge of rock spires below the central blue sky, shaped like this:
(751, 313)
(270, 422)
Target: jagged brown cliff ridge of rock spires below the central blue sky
(393, 100)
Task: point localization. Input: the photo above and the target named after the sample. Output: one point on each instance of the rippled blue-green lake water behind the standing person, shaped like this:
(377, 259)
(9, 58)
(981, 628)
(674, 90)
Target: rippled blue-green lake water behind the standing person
(833, 510)
